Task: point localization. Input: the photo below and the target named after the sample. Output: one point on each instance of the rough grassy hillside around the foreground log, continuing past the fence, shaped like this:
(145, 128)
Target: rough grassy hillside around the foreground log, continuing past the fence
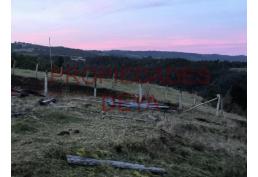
(192, 144)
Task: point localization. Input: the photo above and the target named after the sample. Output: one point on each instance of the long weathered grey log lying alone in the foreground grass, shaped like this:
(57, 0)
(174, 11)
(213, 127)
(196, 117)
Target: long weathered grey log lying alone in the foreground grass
(77, 160)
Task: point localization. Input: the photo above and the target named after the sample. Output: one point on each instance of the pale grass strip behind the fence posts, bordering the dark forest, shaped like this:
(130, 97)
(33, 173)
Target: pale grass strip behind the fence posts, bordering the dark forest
(160, 93)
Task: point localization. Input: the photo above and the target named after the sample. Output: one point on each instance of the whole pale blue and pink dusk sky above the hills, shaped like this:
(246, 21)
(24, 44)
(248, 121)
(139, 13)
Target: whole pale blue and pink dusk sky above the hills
(200, 26)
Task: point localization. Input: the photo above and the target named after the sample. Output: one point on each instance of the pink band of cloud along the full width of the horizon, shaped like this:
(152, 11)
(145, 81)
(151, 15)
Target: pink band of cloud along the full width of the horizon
(234, 45)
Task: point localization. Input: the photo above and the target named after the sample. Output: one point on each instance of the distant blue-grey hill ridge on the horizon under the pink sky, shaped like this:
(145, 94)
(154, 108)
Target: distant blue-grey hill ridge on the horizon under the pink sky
(35, 49)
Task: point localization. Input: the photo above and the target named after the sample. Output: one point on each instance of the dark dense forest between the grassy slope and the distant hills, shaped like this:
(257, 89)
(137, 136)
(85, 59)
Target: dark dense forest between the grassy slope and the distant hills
(224, 77)
